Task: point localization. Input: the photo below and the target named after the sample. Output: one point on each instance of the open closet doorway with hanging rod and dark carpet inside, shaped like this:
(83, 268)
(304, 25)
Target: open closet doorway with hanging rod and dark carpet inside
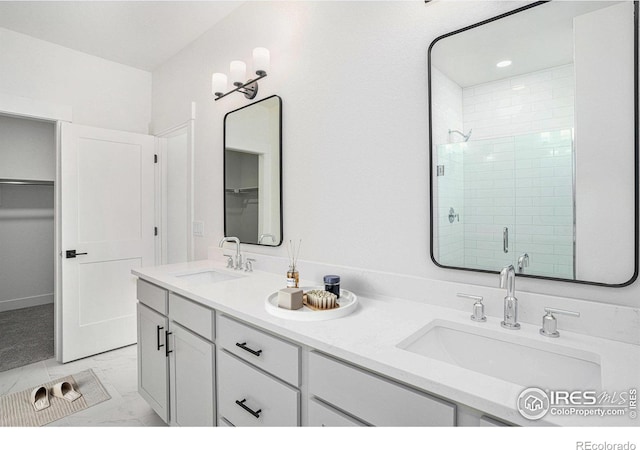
(27, 240)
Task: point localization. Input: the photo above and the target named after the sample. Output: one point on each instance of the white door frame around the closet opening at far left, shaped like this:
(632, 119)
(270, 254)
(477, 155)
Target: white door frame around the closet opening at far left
(26, 108)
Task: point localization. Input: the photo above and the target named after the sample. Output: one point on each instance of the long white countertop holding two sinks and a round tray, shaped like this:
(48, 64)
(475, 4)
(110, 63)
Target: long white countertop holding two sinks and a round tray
(369, 337)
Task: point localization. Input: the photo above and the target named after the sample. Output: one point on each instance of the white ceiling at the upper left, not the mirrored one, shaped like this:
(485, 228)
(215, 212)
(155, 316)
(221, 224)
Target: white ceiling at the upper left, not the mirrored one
(141, 34)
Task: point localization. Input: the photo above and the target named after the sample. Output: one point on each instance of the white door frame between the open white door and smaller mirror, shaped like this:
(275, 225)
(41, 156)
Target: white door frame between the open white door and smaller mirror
(161, 189)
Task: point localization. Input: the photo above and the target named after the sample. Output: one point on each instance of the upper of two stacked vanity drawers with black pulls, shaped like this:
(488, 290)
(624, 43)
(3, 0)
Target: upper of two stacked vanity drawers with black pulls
(263, 350)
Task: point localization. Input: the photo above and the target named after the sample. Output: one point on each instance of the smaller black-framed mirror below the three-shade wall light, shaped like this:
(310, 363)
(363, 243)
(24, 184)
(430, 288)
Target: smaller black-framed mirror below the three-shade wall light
(253, 173)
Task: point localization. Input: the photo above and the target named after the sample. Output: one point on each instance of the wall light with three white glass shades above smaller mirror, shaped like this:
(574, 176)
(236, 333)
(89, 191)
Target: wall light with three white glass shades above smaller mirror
(238, 73)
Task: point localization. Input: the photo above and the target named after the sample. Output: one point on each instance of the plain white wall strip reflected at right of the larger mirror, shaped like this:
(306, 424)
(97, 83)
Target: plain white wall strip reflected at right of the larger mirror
(604, 67)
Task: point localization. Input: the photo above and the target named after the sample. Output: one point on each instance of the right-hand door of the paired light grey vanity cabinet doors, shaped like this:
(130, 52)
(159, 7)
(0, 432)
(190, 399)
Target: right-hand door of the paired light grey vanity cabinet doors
(192, 379)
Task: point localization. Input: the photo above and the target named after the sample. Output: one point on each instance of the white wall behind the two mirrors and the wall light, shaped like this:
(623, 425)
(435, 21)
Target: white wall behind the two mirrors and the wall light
(352, 76)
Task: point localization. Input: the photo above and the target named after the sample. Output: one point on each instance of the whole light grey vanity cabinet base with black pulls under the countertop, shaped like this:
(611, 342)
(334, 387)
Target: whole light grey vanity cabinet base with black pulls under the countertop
(197, 367)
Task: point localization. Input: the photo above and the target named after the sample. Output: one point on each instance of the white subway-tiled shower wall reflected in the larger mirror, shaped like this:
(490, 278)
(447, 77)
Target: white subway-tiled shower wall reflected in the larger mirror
(516, 171)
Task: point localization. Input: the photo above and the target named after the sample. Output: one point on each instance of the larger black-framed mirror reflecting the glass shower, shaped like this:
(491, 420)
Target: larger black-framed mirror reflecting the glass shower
(534, 143)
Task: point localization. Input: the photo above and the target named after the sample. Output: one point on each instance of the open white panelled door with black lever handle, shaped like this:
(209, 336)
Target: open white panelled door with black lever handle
(106, 218)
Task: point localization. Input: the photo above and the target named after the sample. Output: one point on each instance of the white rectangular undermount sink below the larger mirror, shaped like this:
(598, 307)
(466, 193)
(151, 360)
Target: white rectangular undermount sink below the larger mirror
(520, 360)
